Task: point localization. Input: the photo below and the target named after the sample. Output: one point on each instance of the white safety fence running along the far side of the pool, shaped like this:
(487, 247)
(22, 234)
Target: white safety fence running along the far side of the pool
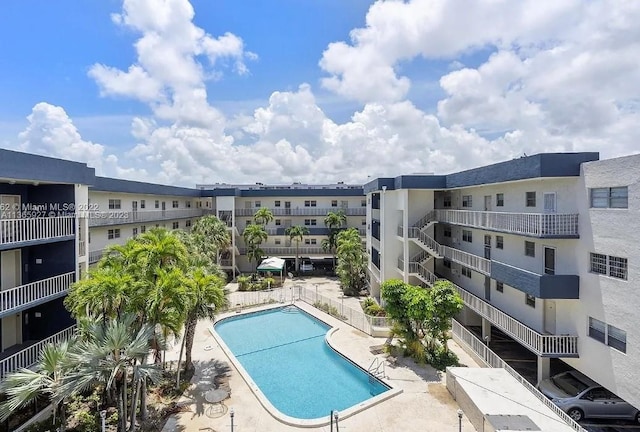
(239, 300)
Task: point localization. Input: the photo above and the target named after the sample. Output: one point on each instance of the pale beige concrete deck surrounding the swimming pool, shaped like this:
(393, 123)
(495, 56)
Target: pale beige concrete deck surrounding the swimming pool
(424, 404)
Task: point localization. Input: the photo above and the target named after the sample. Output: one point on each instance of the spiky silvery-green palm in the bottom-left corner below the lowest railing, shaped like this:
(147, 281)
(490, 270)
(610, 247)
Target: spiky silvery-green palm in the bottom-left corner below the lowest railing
(24, 386)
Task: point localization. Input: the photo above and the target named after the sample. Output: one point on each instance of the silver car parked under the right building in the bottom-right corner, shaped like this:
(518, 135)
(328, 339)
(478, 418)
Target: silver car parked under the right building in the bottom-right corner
(581, 397)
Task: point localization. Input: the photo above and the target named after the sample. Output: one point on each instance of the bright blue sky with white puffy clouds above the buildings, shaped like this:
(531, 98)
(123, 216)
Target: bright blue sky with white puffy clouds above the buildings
(318, 91)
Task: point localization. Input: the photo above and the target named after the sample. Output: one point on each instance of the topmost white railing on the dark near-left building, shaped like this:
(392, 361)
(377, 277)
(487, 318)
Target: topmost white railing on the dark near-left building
(30, 229)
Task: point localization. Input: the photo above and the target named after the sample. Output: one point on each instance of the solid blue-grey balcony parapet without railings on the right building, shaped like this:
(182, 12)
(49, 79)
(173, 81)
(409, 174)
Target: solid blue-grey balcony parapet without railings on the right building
(540, 286)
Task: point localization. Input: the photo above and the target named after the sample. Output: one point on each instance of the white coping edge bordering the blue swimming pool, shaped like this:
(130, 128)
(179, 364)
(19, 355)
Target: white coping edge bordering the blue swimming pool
(264, 401)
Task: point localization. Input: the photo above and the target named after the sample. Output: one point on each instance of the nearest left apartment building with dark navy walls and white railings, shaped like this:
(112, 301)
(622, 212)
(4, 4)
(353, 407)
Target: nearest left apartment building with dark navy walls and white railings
(42, 249)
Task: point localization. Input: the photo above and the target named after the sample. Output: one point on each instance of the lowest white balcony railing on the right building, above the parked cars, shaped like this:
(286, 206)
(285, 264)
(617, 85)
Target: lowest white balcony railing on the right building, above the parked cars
(542, 345)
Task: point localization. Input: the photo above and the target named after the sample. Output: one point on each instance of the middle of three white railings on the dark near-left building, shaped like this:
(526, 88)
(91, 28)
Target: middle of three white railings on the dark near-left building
(18, 297)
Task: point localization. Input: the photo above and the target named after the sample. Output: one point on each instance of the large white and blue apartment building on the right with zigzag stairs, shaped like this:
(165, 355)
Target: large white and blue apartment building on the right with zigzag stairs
(541, 248)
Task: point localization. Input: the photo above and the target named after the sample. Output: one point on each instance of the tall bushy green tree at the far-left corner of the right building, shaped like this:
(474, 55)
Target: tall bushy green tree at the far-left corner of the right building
(352, 262)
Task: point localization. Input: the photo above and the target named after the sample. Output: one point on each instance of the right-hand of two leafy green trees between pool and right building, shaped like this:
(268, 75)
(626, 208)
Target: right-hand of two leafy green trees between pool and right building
(444, 303)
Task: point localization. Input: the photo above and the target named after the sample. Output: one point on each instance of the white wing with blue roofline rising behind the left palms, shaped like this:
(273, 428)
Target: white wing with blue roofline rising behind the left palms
(121, 209)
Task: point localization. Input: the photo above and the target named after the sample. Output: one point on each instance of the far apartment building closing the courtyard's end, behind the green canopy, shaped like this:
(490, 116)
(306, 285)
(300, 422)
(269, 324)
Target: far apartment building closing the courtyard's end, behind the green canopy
(291, 205)
